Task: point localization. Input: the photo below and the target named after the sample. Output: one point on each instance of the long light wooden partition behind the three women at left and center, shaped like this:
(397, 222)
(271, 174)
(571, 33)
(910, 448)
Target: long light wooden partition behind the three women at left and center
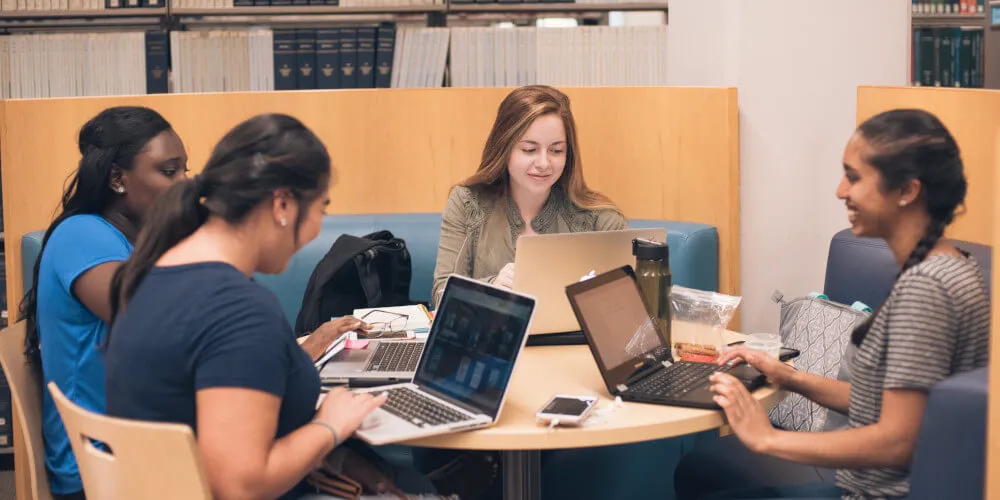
(667, 153)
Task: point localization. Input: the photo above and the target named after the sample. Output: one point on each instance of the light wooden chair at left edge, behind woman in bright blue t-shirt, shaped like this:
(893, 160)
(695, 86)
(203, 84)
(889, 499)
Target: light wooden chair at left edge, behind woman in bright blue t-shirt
(26, 399)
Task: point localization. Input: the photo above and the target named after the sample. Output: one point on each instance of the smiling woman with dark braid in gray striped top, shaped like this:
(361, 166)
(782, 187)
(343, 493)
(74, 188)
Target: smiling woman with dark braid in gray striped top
(903, 182)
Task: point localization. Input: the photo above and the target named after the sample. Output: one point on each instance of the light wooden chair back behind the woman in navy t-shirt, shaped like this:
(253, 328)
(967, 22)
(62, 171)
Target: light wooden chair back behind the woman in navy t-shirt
(148, 460)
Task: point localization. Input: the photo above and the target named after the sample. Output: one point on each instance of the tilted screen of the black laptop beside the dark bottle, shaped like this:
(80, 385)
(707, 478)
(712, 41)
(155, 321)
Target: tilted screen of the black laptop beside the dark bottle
(617, 321)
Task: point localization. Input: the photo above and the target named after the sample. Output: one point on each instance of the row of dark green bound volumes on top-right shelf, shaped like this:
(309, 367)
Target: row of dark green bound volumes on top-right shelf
(947, 57)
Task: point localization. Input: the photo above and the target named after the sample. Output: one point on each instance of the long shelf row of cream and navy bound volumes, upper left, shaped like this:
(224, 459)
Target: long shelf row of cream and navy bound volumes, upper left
(383, 56)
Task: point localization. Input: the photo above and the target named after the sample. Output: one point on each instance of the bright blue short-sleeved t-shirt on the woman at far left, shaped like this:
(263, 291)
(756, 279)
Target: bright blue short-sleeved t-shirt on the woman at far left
(70, 335)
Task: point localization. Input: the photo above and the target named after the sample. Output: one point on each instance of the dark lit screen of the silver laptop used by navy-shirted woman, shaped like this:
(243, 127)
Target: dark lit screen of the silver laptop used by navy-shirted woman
(475, 339)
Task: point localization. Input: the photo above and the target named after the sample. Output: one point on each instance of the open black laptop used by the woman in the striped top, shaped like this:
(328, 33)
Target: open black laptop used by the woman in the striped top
(631, 351)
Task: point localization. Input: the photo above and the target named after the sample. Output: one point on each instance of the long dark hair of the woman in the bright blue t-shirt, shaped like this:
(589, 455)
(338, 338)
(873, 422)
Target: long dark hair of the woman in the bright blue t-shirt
(110, 140)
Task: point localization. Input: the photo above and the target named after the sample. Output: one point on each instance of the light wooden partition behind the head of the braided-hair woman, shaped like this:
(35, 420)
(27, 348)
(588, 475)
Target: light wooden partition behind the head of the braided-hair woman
(973, 117)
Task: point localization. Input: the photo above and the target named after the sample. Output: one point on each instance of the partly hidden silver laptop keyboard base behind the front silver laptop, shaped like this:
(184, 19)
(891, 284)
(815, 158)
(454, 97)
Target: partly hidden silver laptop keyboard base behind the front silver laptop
(382, 362)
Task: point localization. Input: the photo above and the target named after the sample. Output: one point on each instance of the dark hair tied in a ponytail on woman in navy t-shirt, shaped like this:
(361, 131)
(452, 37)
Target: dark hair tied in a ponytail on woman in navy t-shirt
(259, 156)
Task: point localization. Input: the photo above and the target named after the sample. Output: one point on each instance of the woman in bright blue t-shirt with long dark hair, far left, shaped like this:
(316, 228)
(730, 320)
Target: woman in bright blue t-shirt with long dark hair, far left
(129, 156)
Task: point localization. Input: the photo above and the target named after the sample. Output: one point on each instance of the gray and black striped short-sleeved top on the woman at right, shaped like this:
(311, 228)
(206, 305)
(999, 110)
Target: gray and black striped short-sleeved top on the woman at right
(934, 324)
